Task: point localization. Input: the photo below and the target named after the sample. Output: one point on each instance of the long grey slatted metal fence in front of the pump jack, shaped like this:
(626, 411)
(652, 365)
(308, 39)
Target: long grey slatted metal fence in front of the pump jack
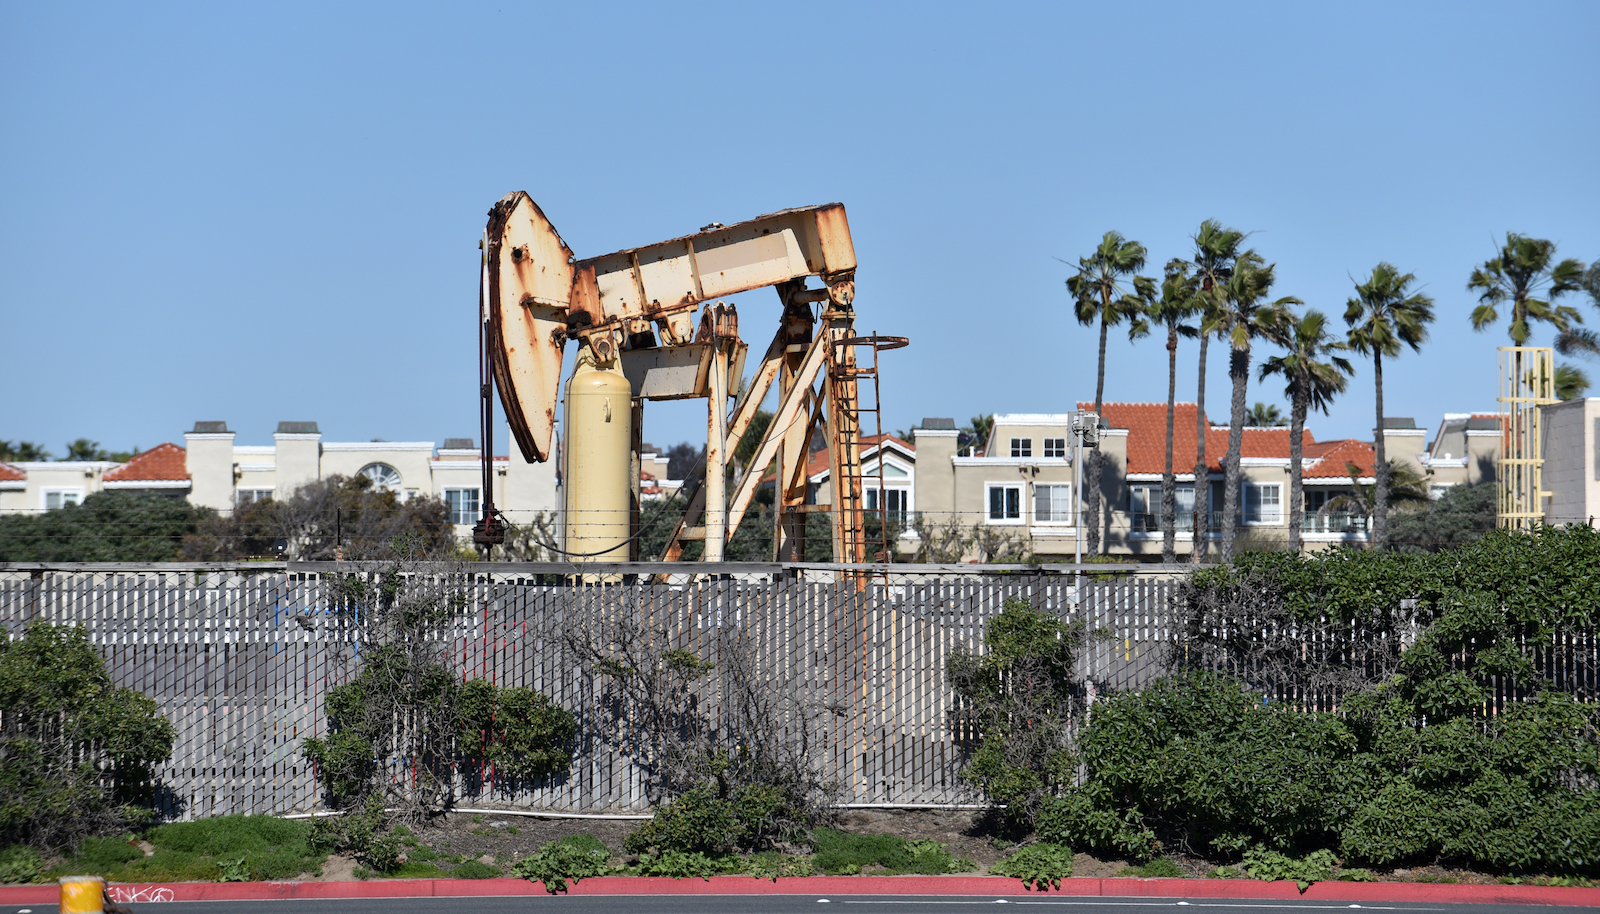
(241, 657)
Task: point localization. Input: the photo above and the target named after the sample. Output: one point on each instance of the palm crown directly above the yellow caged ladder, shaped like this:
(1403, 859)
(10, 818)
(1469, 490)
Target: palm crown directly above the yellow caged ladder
(1524, 278)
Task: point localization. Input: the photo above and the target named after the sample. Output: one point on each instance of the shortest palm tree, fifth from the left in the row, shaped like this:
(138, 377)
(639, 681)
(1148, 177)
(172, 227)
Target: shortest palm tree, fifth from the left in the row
(1313, 374)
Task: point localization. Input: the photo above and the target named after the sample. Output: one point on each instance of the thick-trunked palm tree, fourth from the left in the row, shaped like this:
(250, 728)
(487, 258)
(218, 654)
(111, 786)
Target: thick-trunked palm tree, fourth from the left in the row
(1249, 316)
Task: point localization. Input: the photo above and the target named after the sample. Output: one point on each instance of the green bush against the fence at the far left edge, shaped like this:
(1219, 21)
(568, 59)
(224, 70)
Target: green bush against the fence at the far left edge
(76, 752)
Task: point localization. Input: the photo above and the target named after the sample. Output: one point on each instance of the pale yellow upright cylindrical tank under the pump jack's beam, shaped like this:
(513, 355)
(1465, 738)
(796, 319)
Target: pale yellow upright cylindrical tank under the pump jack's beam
(598, 455)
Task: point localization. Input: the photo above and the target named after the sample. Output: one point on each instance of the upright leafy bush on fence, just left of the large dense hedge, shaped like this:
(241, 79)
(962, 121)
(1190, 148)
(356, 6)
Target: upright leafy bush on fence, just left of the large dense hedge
(1018, 699)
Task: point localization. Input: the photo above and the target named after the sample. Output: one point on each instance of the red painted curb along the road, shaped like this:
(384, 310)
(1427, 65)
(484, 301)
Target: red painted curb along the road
(831, 886)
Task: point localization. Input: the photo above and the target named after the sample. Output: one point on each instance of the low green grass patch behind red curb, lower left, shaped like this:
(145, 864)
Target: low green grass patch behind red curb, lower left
(225, 849)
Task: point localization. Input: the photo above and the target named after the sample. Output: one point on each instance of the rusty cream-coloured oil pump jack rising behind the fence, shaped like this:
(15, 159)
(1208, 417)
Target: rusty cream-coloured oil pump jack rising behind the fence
(633, 316)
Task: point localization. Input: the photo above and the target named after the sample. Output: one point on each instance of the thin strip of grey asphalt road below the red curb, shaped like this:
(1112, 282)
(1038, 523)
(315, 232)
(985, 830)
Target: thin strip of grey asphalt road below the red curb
(783, 905)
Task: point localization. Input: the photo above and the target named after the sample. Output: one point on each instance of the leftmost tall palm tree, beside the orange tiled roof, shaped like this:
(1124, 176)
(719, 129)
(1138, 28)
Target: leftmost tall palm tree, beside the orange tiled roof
(1102, 294)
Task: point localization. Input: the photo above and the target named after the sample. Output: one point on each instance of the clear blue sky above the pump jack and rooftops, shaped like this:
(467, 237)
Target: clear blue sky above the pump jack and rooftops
(271, 212)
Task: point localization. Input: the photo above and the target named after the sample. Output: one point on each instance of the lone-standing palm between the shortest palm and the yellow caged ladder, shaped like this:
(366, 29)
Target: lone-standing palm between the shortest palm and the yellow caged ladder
(1383, 316)
